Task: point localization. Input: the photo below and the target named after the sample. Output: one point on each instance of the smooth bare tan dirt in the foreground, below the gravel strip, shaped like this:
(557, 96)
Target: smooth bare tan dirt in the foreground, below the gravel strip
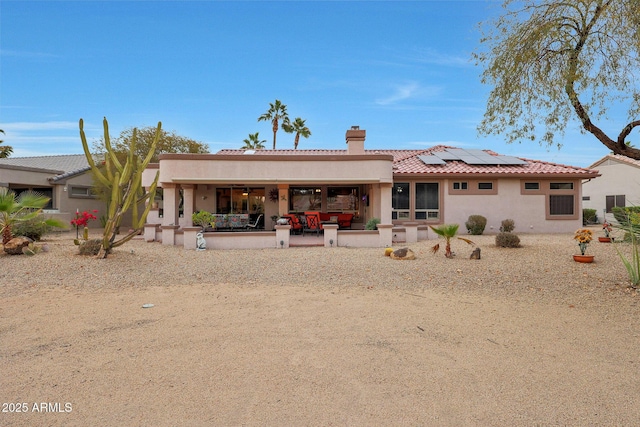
(230, 354)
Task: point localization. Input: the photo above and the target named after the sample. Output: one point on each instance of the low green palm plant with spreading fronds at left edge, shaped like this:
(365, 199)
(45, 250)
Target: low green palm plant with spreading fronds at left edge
(27, 206)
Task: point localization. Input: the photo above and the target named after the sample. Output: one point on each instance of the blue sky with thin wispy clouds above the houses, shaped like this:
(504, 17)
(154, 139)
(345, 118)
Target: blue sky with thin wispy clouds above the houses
(401, 70)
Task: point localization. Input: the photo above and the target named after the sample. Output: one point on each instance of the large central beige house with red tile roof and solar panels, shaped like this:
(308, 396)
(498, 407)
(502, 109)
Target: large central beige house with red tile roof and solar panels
(403, 188)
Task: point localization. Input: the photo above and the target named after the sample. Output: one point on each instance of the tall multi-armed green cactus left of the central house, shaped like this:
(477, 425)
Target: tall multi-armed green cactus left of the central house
(125, 184)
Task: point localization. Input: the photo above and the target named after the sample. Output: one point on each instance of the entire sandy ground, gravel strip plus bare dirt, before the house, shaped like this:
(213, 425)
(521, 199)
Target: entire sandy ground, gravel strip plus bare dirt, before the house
(319, 336)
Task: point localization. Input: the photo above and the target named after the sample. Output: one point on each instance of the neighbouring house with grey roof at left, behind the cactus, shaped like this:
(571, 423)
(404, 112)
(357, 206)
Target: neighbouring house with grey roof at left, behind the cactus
(65, 179)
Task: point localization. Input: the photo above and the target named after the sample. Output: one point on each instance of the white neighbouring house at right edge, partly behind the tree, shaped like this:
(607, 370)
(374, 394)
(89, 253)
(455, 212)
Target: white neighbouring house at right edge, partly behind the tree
(618, 185)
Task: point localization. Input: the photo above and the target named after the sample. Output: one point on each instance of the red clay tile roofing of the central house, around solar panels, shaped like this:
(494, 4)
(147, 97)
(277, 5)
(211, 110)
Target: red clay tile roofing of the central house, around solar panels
(407, 162)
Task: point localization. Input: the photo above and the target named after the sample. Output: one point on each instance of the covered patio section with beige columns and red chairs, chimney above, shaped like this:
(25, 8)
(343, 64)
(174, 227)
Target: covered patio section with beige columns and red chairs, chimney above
(346, 188)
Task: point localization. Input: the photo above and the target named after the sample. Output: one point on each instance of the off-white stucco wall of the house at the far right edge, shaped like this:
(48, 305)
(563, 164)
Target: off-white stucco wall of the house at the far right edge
(616, 179)
